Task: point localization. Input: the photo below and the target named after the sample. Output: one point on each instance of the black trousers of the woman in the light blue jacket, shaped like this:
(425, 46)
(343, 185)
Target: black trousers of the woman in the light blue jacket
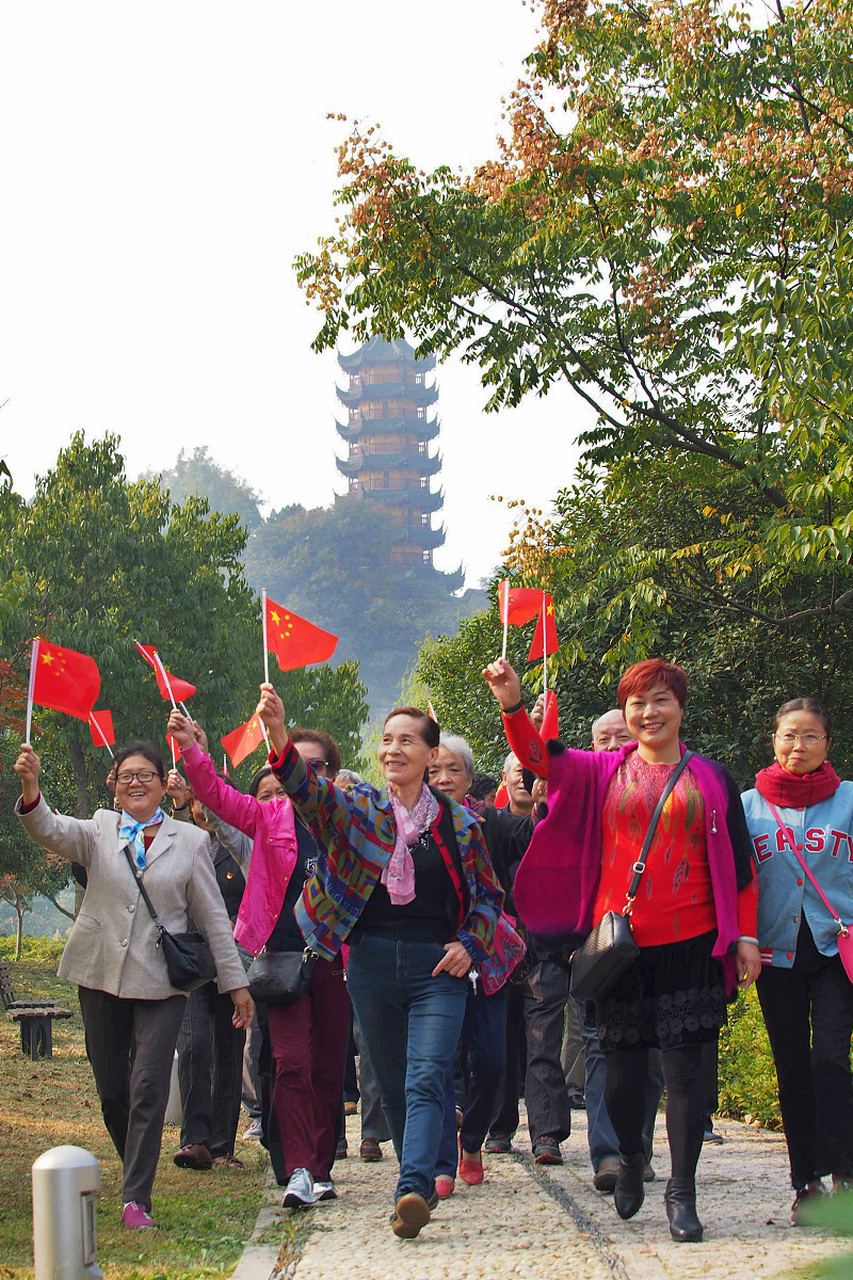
(809, 1012)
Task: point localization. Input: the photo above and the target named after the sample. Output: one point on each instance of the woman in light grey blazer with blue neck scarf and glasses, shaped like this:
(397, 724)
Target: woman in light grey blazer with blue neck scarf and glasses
(131, 1013)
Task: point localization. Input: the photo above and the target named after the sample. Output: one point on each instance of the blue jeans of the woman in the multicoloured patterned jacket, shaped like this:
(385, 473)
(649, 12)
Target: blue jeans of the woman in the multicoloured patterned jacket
(410, 1023)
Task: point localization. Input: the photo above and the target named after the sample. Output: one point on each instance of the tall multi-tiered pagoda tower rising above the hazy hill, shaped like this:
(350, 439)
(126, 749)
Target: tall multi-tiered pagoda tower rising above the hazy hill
(389, 433)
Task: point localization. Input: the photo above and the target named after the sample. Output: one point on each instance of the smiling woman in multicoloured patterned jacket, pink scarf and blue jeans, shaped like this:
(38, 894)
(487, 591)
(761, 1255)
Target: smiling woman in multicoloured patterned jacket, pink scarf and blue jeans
(407, 881)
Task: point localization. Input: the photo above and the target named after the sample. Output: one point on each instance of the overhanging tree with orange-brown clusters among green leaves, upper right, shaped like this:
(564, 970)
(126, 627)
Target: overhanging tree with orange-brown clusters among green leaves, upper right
(668, 230)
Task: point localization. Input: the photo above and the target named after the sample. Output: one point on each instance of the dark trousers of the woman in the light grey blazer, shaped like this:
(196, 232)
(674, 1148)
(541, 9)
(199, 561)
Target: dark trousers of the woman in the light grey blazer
(131, 1046)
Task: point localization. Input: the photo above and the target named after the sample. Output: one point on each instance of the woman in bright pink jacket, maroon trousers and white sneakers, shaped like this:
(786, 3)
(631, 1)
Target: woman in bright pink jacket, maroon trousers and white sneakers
(308, 1037)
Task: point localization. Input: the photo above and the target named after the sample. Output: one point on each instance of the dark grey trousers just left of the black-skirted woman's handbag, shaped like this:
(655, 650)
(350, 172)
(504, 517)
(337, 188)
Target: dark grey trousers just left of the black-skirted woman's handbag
(546, 993)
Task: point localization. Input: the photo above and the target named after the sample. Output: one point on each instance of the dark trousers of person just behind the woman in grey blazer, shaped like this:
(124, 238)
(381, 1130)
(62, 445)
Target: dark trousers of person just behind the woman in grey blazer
(211, 1059)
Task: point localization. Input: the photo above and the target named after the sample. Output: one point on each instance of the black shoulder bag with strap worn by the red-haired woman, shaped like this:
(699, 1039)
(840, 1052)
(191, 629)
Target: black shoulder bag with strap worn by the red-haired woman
(610, 949)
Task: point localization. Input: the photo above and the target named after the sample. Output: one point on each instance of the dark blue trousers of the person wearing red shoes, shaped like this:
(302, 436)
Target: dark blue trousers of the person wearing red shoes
(483, 1060)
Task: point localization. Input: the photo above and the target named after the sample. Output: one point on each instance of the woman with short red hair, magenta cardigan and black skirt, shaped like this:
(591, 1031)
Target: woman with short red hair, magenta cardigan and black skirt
(694, 918)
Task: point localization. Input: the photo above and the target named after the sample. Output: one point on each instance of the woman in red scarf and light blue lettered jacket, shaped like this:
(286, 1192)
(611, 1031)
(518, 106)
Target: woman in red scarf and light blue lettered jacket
(800, 806)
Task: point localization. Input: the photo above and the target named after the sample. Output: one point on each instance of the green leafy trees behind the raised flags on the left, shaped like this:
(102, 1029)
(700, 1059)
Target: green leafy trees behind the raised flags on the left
(99, 563)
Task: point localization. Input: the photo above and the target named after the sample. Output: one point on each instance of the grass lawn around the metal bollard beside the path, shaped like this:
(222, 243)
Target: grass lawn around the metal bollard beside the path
(204, 1219)
